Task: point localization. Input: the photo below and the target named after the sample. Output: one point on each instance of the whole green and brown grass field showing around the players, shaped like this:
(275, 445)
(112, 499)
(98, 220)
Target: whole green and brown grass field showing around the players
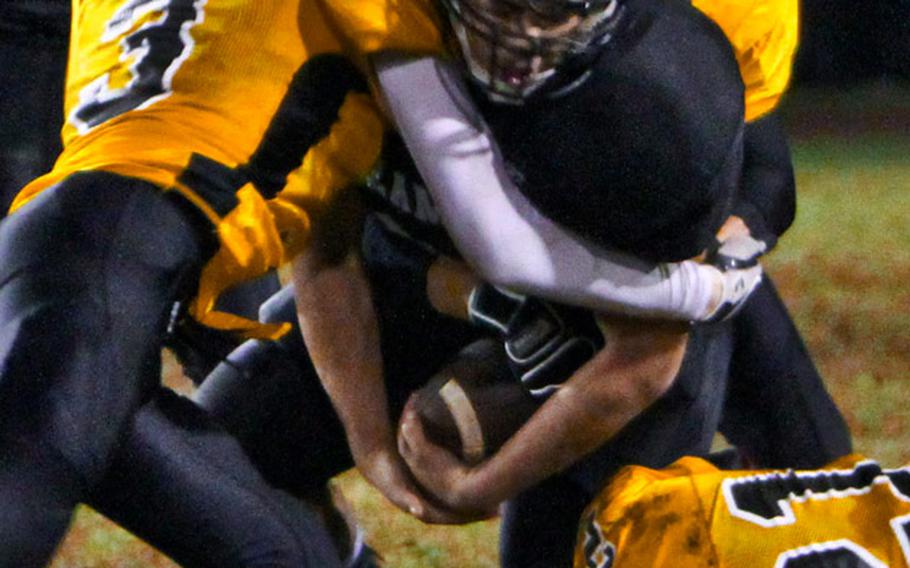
(843, 269)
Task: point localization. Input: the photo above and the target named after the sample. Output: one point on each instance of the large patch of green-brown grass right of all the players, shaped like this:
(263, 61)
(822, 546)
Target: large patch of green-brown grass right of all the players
(844, 270)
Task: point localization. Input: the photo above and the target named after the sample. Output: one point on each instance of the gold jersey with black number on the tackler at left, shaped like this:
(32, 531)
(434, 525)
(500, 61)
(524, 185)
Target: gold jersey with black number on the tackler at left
(184, 93)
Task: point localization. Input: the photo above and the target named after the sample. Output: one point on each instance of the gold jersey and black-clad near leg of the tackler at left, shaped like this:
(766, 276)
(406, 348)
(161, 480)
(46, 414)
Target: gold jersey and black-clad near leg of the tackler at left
(171, 187)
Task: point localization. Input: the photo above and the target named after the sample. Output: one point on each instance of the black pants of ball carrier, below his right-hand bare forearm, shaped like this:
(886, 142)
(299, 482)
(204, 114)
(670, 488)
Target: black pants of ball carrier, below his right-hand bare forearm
(539, 526)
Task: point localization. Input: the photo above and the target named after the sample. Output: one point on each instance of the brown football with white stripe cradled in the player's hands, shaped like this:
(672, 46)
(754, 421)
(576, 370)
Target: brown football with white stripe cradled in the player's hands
(474, 404)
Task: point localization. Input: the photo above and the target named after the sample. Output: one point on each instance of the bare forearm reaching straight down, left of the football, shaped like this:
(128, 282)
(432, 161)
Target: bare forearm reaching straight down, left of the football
(339, 326)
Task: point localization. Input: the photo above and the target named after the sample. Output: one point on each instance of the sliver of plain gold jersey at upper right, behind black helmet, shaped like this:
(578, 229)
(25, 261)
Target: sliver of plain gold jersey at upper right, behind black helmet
(764, 35)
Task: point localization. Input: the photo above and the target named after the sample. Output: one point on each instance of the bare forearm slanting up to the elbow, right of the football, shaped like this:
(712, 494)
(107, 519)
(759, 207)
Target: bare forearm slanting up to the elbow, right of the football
(632, 372)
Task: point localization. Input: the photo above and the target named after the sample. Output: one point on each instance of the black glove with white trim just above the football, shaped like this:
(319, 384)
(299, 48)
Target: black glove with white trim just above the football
(545, 342)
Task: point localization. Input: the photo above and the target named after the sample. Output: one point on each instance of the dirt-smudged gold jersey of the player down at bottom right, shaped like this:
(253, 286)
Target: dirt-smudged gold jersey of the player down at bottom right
(853, 513)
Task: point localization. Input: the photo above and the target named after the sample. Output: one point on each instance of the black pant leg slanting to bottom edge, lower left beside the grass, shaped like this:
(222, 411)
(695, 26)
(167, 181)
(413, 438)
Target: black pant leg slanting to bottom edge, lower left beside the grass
(178, 473)
